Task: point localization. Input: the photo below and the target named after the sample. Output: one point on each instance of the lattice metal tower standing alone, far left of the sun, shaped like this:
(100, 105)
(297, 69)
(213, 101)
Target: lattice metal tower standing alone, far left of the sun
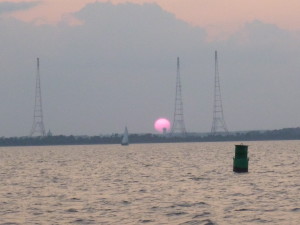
(38, 124)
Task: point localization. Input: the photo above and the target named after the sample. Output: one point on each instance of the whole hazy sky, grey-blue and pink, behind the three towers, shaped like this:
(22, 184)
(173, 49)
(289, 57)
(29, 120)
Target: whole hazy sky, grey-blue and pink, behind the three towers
(110, 64)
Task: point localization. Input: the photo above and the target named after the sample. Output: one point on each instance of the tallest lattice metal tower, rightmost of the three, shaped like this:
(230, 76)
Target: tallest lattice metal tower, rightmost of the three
(218, 124)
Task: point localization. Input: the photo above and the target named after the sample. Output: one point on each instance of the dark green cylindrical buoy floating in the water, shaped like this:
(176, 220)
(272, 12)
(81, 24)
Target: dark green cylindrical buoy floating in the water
(240, 161)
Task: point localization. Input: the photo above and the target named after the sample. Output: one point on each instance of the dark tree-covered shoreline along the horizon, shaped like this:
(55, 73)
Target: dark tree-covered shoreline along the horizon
(270, 135)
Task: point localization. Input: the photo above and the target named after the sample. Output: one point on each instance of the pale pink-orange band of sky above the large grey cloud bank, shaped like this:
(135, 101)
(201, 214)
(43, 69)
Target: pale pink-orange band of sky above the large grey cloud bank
(218, 17)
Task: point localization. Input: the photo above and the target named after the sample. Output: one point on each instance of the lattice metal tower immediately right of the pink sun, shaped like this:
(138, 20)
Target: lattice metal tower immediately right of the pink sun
(178, 127)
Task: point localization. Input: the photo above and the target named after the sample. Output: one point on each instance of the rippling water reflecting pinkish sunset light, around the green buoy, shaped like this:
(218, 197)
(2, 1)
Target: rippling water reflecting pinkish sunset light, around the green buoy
(186, 183)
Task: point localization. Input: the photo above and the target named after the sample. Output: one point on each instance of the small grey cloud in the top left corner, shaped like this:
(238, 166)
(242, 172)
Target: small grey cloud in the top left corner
(8, 7)
